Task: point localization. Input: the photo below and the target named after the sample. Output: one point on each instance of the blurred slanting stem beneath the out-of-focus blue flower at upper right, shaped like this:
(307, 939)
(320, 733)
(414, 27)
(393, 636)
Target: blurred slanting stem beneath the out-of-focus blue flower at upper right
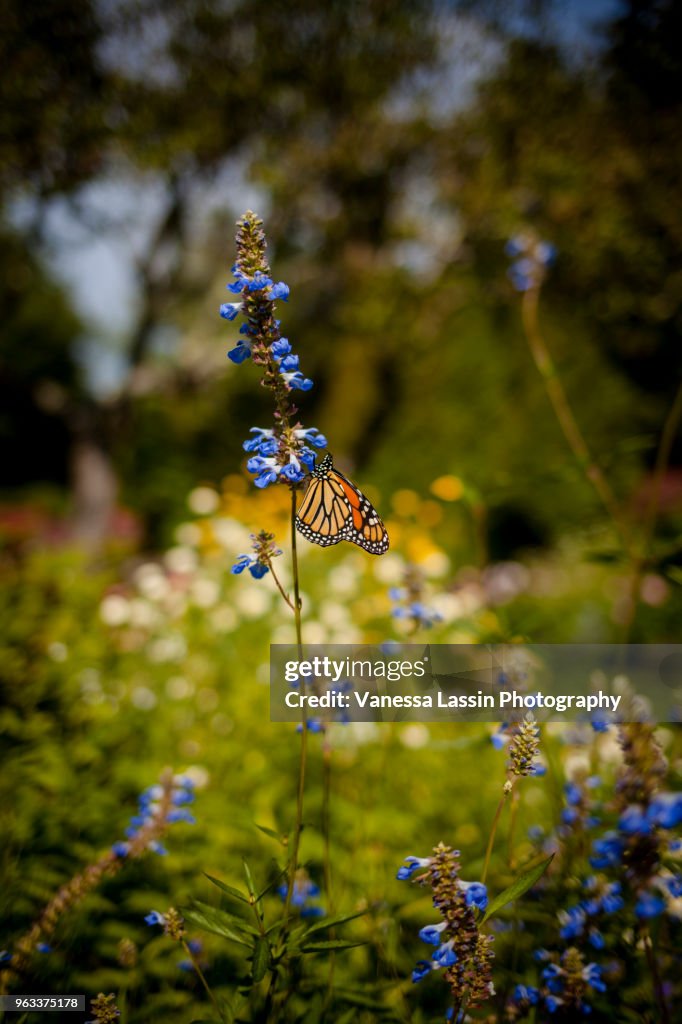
(567, 420)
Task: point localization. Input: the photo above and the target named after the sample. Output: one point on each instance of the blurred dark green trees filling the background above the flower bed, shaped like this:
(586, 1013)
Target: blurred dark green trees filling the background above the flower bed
(391, 191)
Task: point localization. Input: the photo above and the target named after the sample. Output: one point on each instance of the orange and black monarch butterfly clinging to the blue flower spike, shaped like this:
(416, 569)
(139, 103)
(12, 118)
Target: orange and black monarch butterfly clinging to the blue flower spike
(333, 509)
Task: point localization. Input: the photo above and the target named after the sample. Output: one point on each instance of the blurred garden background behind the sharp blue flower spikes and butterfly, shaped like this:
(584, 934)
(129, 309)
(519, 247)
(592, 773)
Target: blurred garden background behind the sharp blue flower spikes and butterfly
(393, 150)
